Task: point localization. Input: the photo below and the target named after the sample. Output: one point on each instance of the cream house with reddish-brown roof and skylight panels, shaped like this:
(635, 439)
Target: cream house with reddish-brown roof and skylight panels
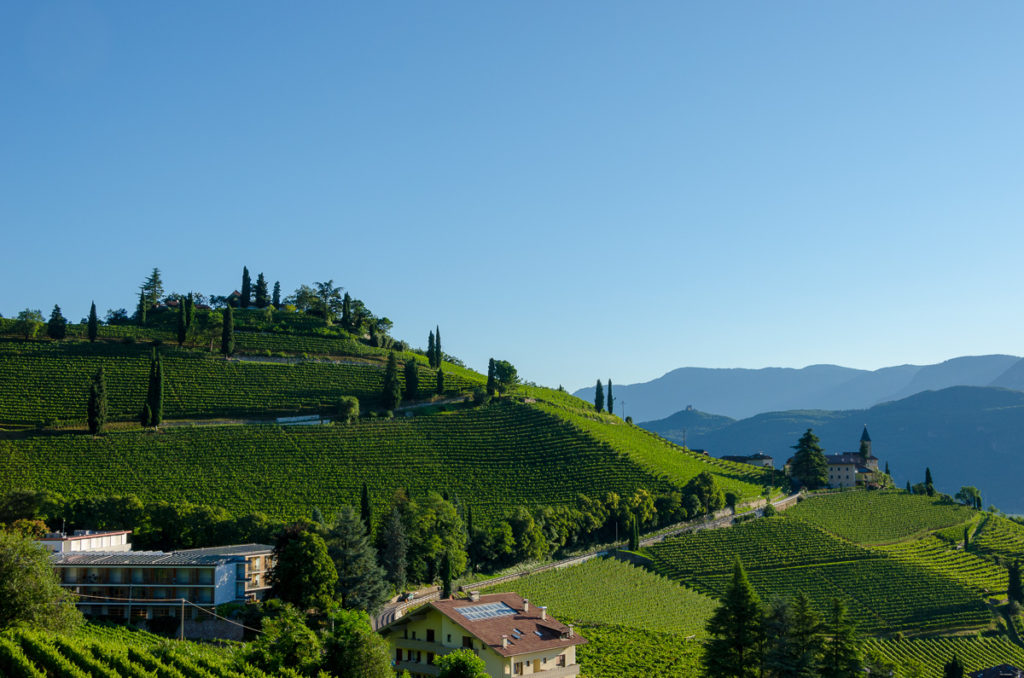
(511, 638)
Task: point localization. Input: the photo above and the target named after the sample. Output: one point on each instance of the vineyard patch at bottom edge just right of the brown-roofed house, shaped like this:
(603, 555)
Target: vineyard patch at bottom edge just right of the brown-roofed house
(618, 652)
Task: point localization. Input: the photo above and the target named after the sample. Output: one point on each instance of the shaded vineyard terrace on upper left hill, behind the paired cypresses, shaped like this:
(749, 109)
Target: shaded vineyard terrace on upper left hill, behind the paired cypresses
(49, 380)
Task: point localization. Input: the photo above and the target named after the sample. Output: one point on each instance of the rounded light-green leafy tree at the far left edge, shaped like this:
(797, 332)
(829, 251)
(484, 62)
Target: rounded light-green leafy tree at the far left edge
(30, 594)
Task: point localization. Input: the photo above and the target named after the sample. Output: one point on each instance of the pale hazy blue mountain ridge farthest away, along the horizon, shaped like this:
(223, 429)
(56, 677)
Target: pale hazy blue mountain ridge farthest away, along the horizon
(745, 393)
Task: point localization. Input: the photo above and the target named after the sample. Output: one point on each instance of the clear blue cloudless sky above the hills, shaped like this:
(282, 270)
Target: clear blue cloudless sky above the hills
(588, 190)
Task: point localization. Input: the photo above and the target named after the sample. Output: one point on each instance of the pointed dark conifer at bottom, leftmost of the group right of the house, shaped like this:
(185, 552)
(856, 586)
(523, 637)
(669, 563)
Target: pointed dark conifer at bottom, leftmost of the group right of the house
(736, 631)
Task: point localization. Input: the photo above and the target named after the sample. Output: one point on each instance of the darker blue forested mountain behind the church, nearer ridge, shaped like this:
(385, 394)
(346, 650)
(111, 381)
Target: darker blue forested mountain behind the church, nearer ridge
(967, 436)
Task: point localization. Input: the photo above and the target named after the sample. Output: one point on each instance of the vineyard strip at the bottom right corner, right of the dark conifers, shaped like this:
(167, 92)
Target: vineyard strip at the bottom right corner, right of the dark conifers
(932, 654)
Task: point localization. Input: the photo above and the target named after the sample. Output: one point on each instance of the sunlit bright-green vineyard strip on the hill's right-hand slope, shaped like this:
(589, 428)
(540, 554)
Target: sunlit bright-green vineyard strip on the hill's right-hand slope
(653, 452)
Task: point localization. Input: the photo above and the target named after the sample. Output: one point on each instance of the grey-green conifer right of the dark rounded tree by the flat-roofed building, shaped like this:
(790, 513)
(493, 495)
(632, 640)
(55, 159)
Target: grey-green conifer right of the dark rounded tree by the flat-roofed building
(361, 581)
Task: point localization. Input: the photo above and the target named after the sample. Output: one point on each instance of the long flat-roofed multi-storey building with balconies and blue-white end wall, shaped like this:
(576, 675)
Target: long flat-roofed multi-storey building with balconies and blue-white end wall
(120, 585)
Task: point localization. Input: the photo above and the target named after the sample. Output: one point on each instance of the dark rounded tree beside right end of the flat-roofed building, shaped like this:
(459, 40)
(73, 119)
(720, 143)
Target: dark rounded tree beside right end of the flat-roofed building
(305, 575)
